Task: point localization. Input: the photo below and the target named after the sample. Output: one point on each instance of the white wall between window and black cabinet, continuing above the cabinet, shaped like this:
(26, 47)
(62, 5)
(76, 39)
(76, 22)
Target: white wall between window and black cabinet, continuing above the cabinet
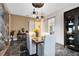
(59, 22)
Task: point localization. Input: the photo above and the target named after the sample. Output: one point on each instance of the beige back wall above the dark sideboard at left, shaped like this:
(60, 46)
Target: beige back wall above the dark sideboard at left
(18, 22)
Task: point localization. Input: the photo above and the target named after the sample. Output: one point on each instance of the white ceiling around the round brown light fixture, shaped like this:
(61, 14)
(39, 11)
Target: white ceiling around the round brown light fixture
(26, 9)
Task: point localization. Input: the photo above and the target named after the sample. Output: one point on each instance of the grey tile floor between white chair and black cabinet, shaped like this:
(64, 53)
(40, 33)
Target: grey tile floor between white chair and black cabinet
(61, 51)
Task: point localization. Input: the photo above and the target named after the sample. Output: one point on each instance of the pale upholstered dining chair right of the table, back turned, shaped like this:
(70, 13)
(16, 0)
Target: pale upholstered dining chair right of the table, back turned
(48, 47)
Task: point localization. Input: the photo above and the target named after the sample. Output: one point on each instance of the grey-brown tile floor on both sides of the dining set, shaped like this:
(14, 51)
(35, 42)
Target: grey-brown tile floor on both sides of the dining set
(60, 50)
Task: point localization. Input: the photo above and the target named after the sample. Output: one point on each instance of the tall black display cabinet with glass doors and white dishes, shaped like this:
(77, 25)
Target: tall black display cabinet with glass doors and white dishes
(71, 29)
